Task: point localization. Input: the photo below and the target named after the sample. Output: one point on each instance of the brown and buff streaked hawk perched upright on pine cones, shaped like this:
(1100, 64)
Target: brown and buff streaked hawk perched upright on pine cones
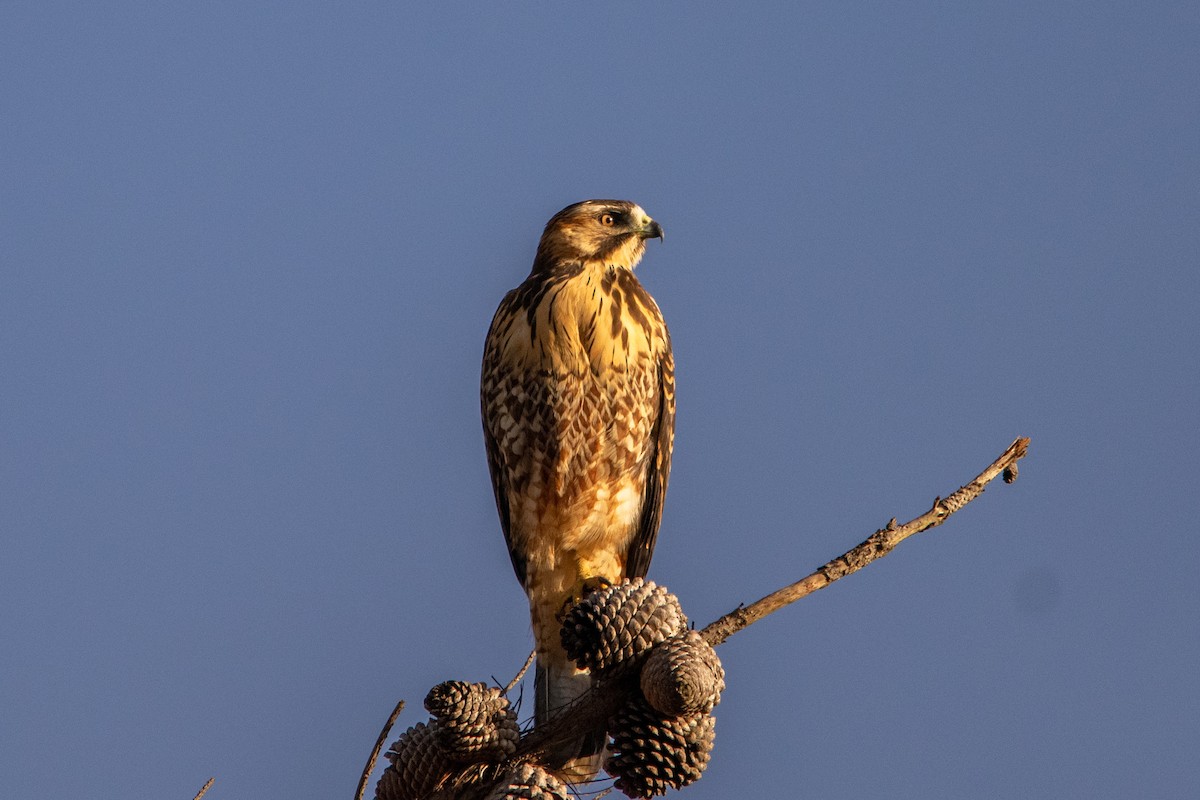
(578, 398)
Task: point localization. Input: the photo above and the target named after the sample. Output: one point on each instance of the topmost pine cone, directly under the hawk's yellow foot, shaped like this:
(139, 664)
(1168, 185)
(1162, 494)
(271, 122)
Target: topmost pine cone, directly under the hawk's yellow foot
(614, 628)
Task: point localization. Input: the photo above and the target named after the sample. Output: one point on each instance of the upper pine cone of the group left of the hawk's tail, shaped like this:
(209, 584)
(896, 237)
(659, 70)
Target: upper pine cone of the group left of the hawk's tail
(472, 723)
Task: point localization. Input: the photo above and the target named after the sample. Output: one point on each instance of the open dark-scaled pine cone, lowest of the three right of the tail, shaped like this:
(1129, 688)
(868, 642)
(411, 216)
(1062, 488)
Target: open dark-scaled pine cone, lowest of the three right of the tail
(652, 755)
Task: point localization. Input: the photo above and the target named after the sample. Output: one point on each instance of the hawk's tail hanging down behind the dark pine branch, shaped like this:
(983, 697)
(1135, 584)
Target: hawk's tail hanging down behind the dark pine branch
(557, 684)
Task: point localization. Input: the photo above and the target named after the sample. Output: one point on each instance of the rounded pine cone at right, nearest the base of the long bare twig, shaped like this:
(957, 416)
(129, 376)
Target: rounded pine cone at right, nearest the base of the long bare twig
(683, 676)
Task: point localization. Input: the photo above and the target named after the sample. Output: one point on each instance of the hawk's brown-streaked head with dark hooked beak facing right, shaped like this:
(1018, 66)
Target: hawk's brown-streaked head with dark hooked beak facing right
(611, 232)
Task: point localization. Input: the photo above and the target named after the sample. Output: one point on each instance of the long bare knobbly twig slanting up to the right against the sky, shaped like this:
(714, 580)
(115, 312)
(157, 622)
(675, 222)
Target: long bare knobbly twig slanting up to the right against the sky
(880, 544)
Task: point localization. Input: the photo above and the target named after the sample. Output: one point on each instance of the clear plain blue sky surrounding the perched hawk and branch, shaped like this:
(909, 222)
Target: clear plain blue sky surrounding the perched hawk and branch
(249, 254)
